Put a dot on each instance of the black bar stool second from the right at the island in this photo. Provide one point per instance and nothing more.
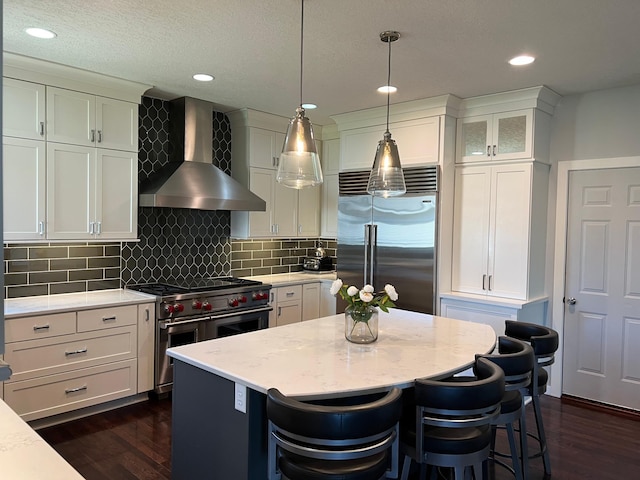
(516, 358)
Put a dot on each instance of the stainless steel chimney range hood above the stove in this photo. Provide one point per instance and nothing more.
(190, 180)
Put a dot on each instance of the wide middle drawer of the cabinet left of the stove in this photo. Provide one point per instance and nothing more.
(61, 354)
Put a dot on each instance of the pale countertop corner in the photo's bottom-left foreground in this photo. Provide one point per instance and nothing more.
(24, 455)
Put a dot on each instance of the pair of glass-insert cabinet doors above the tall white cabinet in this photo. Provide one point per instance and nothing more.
(501, 136)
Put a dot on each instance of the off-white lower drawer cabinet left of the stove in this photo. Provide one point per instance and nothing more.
(62, 362)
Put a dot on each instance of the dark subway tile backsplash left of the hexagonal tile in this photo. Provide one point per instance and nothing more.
(45, 269)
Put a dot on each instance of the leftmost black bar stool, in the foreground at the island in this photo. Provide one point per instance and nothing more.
(311, 441)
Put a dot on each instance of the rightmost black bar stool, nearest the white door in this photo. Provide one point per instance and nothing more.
(544, 342)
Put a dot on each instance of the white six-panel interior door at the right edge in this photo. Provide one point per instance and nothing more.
(602, 328)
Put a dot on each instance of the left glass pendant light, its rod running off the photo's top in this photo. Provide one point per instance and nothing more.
(299, 165)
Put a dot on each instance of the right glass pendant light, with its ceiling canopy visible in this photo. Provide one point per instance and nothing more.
(386, 178)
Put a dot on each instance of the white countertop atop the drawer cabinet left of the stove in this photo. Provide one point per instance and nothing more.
(65, 302)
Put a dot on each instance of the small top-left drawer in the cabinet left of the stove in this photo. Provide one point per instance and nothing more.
(41, 326)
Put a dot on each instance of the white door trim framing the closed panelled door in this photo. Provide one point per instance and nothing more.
(560, 246)
